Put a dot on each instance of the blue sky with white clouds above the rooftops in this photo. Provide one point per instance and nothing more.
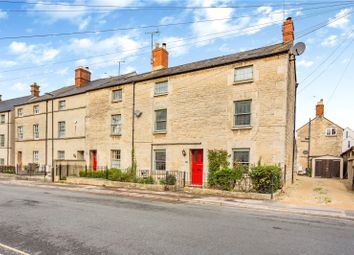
(325, 70)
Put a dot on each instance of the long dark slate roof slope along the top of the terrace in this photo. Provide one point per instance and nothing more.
(134, 77)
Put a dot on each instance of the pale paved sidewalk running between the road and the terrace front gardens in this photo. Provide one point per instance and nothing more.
(180, 197)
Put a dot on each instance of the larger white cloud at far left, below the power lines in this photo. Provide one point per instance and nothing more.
(34, 53)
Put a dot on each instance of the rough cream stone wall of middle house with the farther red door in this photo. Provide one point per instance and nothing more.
(100, 108)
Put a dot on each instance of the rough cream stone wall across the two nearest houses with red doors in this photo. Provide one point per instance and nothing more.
(200, 108)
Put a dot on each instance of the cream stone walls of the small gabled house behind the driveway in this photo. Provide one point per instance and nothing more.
(320, 143)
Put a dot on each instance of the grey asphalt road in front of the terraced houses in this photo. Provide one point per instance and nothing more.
(50, 221)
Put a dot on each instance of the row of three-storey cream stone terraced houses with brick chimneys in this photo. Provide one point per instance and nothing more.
(166, 119)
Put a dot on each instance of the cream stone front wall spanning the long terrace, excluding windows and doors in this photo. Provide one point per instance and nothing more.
(200, 115)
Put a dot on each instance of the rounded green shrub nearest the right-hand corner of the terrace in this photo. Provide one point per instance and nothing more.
(261, 178)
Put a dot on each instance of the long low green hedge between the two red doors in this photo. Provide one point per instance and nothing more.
(117, 175)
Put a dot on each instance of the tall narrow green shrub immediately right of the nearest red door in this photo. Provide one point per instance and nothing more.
(218, 159)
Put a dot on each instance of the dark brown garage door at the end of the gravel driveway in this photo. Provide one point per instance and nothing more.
(327, 168)
